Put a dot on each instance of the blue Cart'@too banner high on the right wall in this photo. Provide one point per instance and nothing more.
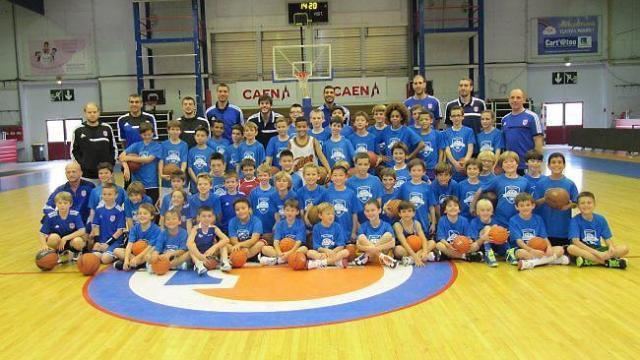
(568, 35)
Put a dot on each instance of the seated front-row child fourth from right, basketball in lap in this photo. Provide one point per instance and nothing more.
(451, 226)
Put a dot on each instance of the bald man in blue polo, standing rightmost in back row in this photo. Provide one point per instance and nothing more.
(521, 128)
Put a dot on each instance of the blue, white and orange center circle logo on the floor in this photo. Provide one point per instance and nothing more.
(265, 297)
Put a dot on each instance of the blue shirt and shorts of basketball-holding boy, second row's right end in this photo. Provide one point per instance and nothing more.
(556, 221)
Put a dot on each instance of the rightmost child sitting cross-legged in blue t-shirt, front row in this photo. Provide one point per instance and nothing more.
(587, 230)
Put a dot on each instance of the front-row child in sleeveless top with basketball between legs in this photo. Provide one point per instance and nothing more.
(408, 226)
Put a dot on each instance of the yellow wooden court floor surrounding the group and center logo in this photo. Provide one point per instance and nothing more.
(487, 313)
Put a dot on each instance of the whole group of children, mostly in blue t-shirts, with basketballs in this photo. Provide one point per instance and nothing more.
(222, 197)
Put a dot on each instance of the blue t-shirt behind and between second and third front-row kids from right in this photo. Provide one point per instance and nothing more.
(506, 190)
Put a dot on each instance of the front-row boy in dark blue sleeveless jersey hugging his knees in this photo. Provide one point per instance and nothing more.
(206, 241)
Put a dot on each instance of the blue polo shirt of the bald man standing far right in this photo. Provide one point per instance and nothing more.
(519, 131)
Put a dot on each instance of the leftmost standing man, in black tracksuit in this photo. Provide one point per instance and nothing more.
(93, 143)
